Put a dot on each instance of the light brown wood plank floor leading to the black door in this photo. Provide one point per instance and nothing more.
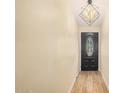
(89, 82)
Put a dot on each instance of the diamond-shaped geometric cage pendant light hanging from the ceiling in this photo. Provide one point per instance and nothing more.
(89, 14)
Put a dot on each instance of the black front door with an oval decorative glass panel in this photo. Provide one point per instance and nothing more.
(89, 51)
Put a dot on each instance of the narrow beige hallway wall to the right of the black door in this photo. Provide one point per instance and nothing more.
(105, 44)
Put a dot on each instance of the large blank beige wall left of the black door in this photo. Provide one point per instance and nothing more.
(46, 46)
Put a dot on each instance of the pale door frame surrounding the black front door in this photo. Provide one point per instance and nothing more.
(99, 49)
